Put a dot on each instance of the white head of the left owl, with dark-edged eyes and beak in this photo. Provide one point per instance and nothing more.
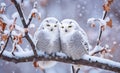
(50, 24)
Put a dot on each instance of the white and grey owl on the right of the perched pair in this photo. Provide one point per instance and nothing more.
(74, 41)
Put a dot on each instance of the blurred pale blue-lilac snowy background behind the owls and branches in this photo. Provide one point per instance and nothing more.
(79, 10)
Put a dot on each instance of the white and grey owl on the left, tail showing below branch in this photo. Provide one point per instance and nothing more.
(47, 39)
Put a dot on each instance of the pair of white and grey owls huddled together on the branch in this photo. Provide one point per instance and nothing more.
(67, 37)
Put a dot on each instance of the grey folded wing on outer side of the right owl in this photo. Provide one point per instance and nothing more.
(76, 47)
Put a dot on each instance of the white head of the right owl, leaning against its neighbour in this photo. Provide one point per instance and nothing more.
(68, 25)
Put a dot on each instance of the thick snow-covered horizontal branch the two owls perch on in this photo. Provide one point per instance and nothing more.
(87, 60)
